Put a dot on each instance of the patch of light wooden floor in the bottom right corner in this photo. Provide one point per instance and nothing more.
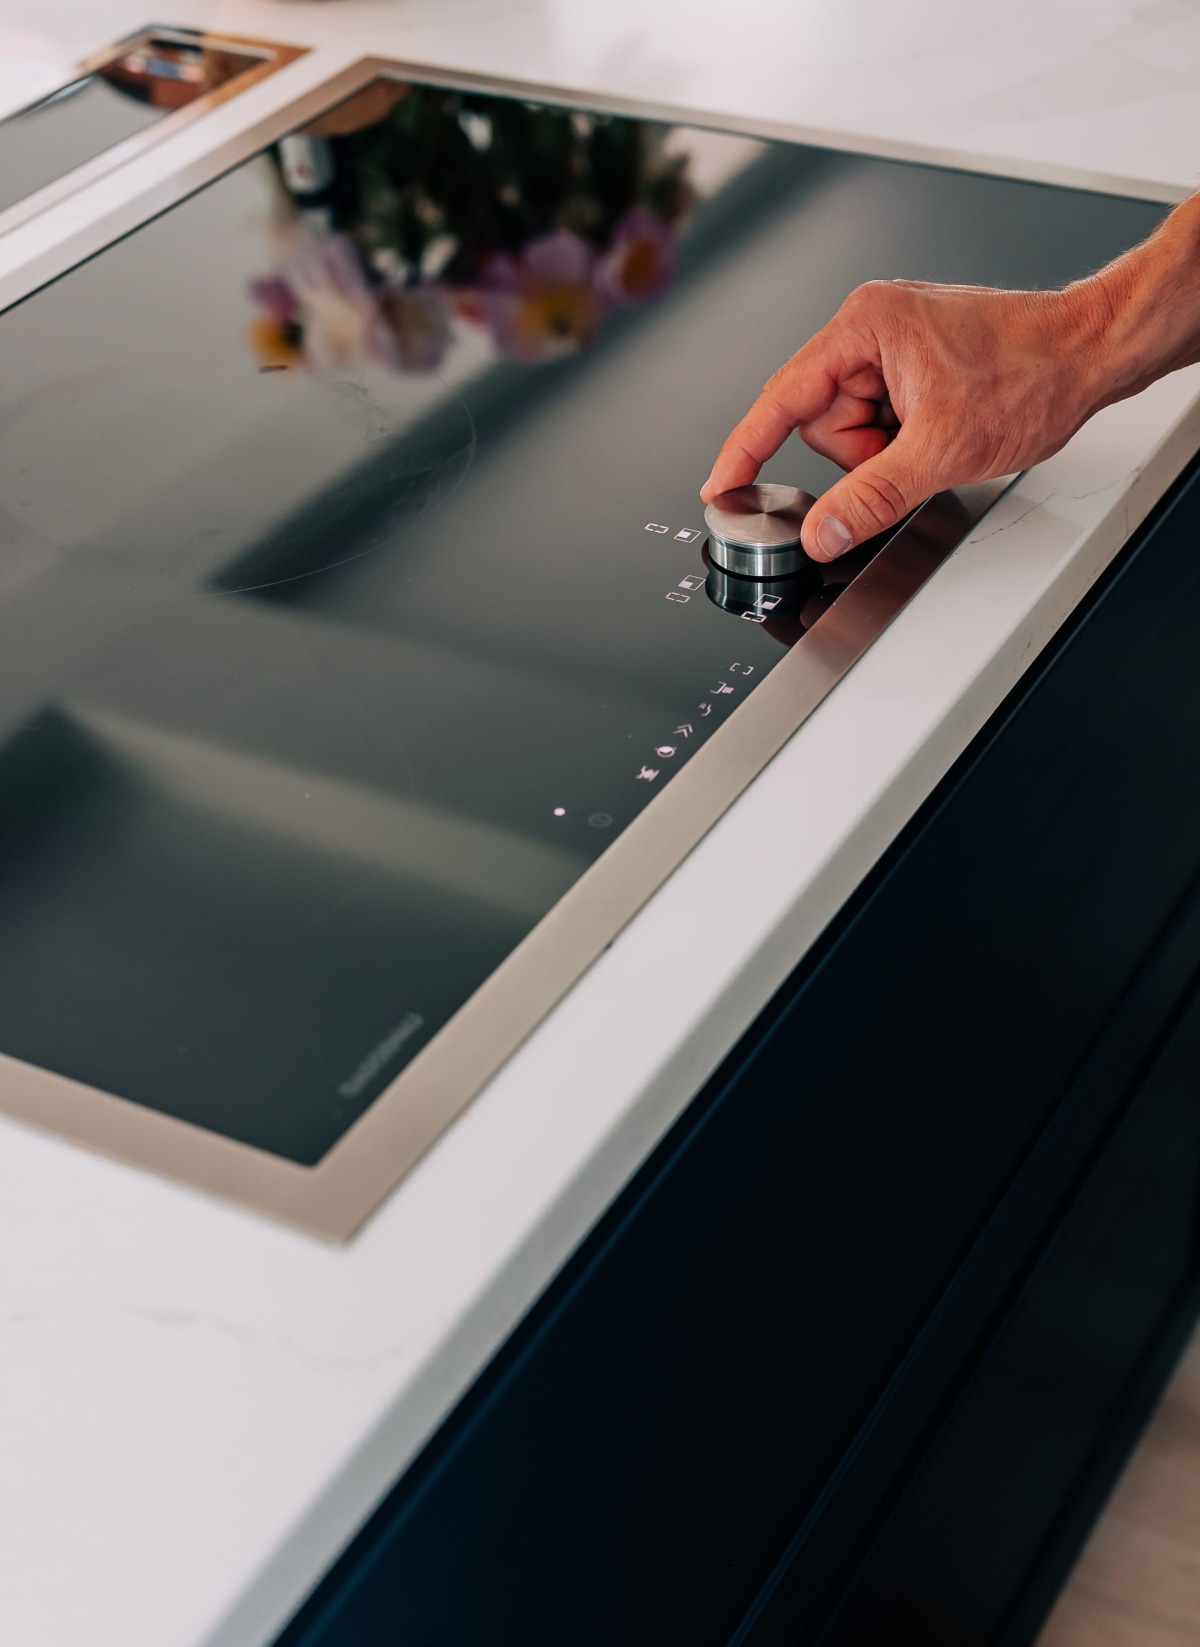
(1138, 1580)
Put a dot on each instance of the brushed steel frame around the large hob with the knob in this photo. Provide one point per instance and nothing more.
(335, 1197)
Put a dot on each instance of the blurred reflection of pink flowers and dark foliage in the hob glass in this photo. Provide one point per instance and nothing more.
(414, 208)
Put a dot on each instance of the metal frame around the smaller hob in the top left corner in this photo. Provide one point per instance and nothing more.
(272, 57)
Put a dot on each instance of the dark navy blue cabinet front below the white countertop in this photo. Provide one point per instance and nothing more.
(858, 1351)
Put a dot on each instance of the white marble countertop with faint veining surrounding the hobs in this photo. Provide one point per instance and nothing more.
(197, 1406)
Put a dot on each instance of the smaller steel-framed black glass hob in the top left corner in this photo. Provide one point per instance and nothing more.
(121, 101)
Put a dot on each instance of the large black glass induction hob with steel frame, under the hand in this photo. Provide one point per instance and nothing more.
(361, 666)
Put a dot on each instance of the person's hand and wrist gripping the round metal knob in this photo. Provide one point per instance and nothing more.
(914, 388)
